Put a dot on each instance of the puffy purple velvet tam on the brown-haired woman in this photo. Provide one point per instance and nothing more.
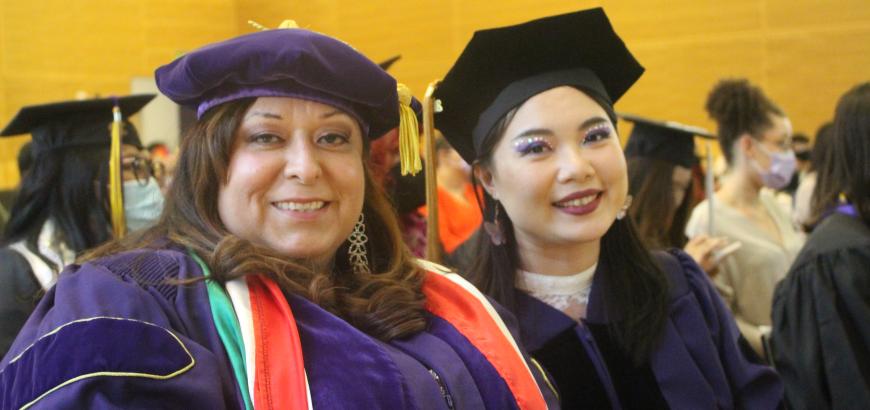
(284, 63)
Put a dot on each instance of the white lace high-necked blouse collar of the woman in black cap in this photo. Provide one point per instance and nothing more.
(569, 294)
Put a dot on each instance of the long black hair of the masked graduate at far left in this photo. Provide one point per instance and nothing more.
(69, 187)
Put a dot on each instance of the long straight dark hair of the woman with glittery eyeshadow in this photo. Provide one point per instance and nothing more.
(635, 288)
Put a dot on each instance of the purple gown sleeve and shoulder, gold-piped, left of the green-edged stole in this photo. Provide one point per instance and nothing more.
(112, 333)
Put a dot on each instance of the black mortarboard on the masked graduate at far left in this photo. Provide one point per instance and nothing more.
(75, 123)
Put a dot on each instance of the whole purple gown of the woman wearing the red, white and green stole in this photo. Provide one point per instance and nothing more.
(114, 334)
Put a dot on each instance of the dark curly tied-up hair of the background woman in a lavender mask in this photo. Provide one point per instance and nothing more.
(739, 108)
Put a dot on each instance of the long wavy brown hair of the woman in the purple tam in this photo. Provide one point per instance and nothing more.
(386, 304)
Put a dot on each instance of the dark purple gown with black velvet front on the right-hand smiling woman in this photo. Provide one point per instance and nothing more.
(698, 364)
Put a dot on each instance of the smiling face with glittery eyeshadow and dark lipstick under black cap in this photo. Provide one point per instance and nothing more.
(558, 170)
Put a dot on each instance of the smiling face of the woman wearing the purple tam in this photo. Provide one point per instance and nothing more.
(295, 179)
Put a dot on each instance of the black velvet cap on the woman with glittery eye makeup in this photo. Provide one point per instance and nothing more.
(503, 67)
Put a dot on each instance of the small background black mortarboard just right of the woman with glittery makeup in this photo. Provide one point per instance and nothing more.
(665, 140)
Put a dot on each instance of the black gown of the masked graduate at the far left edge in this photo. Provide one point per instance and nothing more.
(19, 294)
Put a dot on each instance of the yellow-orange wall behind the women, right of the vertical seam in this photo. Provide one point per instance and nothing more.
(804, 53)
